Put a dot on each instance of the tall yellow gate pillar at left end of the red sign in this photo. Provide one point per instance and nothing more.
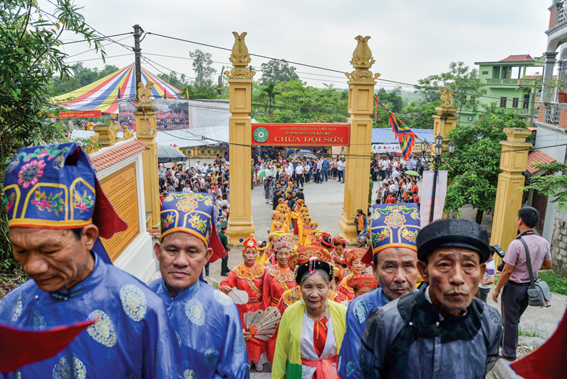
(240, 224)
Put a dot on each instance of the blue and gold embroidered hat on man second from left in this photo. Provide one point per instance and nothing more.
(192, 213)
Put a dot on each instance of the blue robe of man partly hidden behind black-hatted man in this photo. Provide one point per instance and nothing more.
(357, 314)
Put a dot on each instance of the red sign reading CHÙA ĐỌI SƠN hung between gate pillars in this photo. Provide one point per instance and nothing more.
(335, 134)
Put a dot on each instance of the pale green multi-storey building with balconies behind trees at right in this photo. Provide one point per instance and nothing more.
(506, 85)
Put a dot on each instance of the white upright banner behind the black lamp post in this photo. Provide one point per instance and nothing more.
(426, 193)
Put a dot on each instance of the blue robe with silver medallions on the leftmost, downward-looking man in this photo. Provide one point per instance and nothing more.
(133, 337)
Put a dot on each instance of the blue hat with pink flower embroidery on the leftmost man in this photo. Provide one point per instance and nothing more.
(55, 187)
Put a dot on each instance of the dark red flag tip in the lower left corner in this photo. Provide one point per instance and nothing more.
(22, 347)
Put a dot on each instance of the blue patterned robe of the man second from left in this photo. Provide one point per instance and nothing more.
(208, 330)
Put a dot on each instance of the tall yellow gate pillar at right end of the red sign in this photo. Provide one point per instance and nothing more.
(360, 106)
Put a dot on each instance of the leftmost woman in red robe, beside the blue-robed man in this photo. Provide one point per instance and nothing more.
(249, 277)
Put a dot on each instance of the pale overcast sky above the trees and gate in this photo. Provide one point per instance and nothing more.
(411, 39)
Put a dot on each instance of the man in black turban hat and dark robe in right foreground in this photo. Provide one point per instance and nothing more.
(442, 331)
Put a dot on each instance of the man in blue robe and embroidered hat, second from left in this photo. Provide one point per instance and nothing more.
(206, 320)
